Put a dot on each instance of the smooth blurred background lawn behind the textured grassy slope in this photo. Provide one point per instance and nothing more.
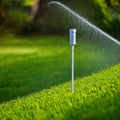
(31, 64)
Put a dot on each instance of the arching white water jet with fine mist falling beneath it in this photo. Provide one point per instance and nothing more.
(97, 50)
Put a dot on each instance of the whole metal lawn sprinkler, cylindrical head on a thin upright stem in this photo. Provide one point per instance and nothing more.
(72, 43)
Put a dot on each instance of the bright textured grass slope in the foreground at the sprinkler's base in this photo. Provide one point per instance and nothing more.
(96, 97)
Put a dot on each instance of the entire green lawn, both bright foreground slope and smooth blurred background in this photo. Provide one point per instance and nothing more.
(35, 80)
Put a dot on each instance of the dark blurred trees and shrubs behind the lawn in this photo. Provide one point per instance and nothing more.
(15, 16)
